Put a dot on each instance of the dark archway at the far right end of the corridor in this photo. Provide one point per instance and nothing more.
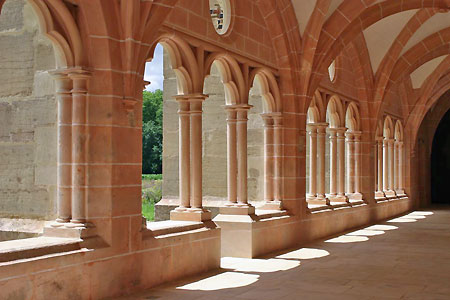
(440, 162)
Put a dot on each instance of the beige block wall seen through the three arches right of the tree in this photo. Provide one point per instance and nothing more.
(214, 141)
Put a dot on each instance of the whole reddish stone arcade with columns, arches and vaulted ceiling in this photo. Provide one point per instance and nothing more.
(285, 122)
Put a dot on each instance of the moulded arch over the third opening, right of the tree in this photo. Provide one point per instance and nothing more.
(268, 85)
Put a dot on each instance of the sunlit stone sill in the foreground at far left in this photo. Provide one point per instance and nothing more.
(36, 247)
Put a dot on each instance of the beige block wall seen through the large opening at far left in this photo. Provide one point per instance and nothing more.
(28, 115)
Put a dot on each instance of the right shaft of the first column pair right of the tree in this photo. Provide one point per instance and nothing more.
(196, 103)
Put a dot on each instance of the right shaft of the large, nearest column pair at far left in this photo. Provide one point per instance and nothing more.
(79, 139)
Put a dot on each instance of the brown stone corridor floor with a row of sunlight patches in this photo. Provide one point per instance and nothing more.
(404, 258)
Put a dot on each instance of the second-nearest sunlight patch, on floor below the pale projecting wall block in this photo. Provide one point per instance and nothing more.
(258, 265)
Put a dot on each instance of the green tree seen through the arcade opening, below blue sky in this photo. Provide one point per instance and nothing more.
(152, 113)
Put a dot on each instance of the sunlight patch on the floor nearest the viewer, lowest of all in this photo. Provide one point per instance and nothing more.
(221, 281)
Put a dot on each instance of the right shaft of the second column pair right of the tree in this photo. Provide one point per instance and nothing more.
(241, 129)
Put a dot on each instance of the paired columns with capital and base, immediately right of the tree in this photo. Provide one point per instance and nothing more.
(190, 159)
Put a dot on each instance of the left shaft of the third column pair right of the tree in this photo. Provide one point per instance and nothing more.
(268, 157)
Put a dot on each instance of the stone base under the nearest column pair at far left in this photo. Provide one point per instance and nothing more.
(69, 230)
